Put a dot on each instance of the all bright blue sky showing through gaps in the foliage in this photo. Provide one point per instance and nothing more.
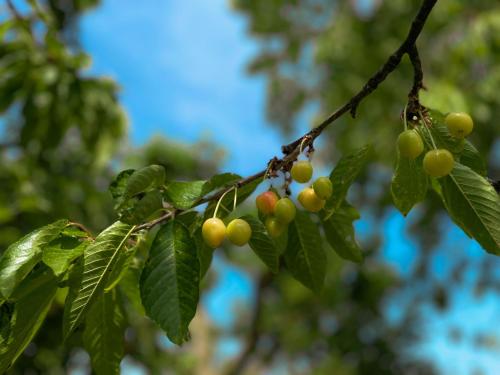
(181, 65)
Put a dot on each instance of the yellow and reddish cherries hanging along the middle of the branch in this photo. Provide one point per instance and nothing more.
(278, 212)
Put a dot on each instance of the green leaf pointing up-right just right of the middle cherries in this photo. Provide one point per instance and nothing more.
(344, 174)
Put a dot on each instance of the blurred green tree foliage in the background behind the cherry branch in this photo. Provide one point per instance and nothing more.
(64, 138)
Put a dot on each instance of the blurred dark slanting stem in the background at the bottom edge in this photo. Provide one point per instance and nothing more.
(254, 334)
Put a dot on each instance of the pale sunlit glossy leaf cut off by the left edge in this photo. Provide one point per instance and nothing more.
(20, 258)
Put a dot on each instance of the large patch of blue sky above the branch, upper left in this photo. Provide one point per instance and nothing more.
(181, 65)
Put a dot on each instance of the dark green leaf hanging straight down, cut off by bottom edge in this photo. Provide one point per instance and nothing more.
(103, 337)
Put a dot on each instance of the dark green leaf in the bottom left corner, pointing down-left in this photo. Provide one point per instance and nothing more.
(29, 313)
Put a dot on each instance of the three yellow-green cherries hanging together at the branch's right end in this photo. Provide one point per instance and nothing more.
(439, 161)
